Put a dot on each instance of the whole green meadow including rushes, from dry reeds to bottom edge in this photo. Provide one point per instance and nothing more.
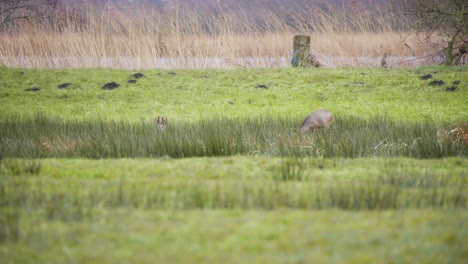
(85, 176)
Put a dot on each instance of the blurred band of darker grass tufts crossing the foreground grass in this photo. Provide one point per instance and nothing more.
(74, 199)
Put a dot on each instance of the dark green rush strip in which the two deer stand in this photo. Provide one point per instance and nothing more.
(42, 137)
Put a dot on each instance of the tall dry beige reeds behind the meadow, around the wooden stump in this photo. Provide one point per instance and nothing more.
(177, 35)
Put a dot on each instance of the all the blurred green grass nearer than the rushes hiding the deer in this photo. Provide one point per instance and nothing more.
(221, 210)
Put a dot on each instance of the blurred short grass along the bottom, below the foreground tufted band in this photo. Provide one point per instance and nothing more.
(234, 236)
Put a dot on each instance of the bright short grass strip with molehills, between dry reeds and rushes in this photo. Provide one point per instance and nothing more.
(191, 95)
